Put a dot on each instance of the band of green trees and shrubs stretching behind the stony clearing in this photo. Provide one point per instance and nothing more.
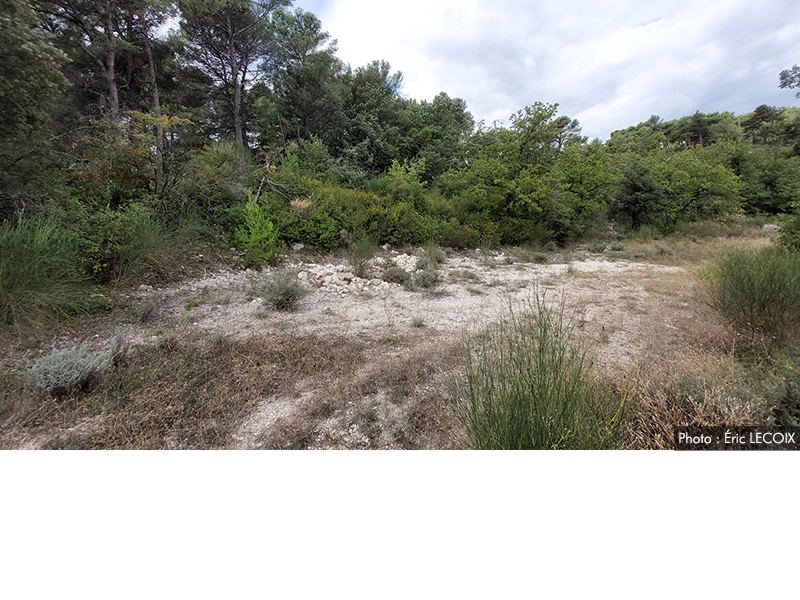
(134, 130)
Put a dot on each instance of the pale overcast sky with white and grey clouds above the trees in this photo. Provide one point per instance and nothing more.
(609, 63)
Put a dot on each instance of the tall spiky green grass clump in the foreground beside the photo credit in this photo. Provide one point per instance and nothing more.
(529, 386)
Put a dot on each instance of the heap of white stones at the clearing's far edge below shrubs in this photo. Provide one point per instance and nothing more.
(340, 280)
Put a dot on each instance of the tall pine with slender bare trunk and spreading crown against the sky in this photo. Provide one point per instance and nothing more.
(229, 40)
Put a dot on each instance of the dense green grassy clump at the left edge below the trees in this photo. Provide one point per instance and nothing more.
(39, 273)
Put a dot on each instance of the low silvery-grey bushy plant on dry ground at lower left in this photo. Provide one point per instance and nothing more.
(69, 369)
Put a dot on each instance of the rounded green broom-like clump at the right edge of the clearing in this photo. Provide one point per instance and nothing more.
(759, 293)
